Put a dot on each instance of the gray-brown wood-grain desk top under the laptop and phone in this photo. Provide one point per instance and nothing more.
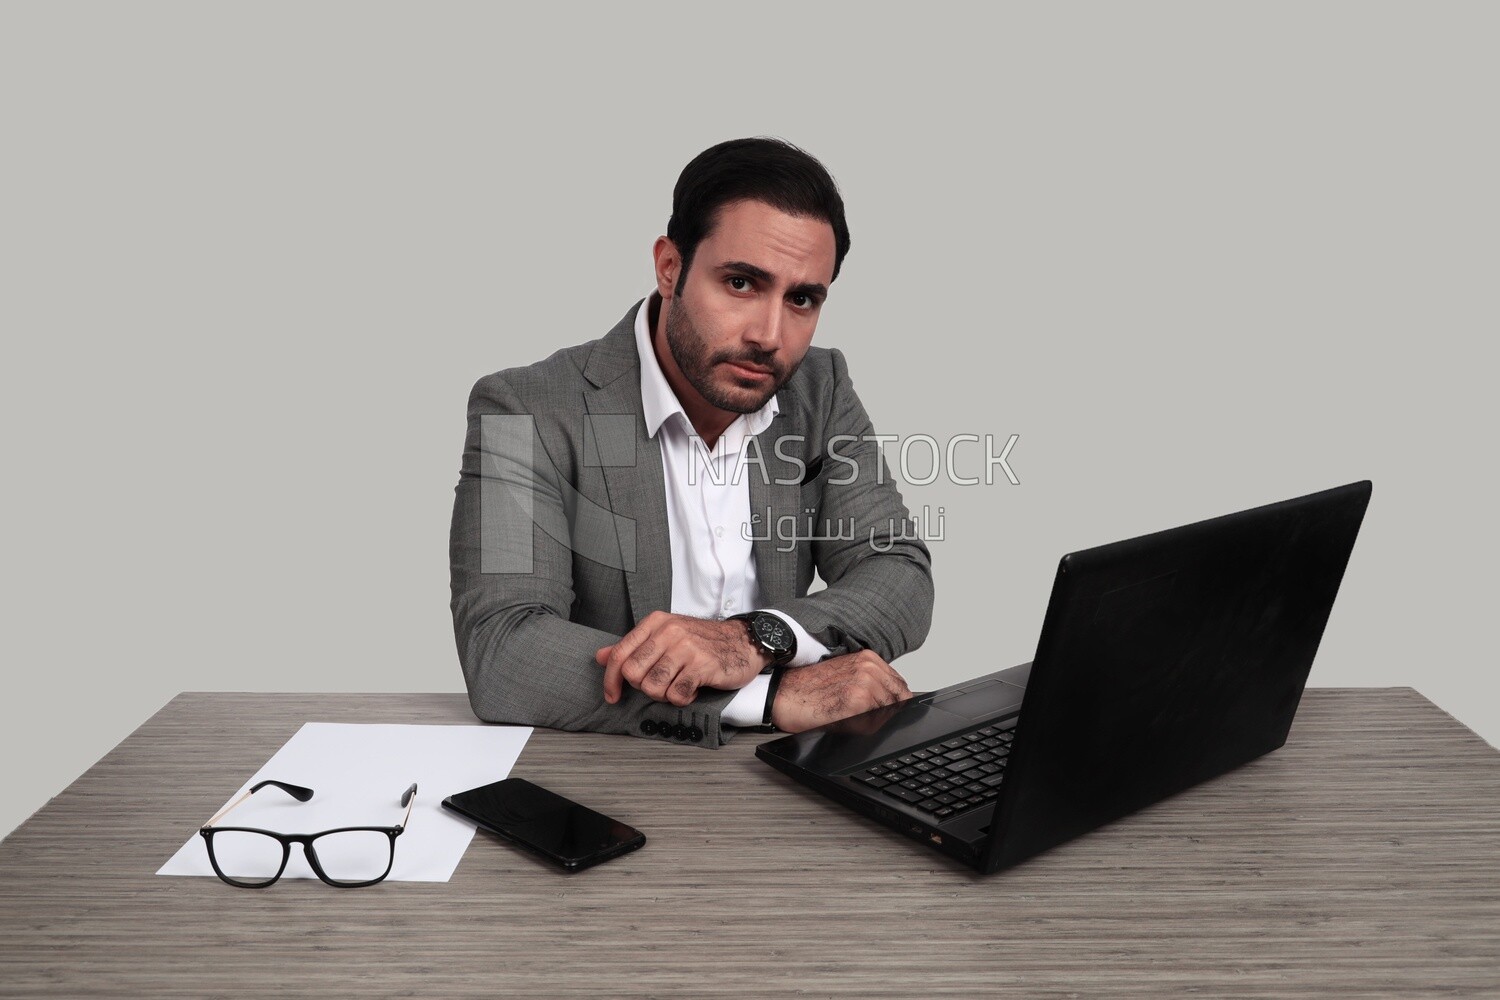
(1360, 861)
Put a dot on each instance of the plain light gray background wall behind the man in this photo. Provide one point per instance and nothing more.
(1199, 257)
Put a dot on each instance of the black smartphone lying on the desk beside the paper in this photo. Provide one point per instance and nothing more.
(565, 833)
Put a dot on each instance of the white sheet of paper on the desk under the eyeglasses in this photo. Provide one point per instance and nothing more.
(358, 774)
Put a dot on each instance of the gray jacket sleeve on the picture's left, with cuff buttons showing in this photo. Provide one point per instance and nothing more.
(511, 555)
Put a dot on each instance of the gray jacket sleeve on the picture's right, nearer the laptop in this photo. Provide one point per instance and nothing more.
(880, 591)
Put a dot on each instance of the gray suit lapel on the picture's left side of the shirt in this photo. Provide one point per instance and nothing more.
(632, 470)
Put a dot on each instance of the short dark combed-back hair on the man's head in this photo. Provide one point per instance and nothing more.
(763, 169)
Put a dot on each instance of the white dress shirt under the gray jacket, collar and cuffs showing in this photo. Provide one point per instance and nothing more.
(707, 516)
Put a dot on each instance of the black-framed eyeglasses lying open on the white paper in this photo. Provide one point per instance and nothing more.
(352, 855)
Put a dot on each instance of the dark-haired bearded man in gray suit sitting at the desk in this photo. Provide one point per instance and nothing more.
(638, 519)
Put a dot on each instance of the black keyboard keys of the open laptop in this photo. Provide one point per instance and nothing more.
(949, 777)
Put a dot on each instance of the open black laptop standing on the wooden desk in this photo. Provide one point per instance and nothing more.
(1163, 662)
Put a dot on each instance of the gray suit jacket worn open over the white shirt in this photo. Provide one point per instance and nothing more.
(560, 537)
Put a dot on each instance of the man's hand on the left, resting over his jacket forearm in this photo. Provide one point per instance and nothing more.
(668, 657)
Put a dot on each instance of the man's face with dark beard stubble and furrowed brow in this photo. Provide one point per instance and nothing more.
(748, 313)
